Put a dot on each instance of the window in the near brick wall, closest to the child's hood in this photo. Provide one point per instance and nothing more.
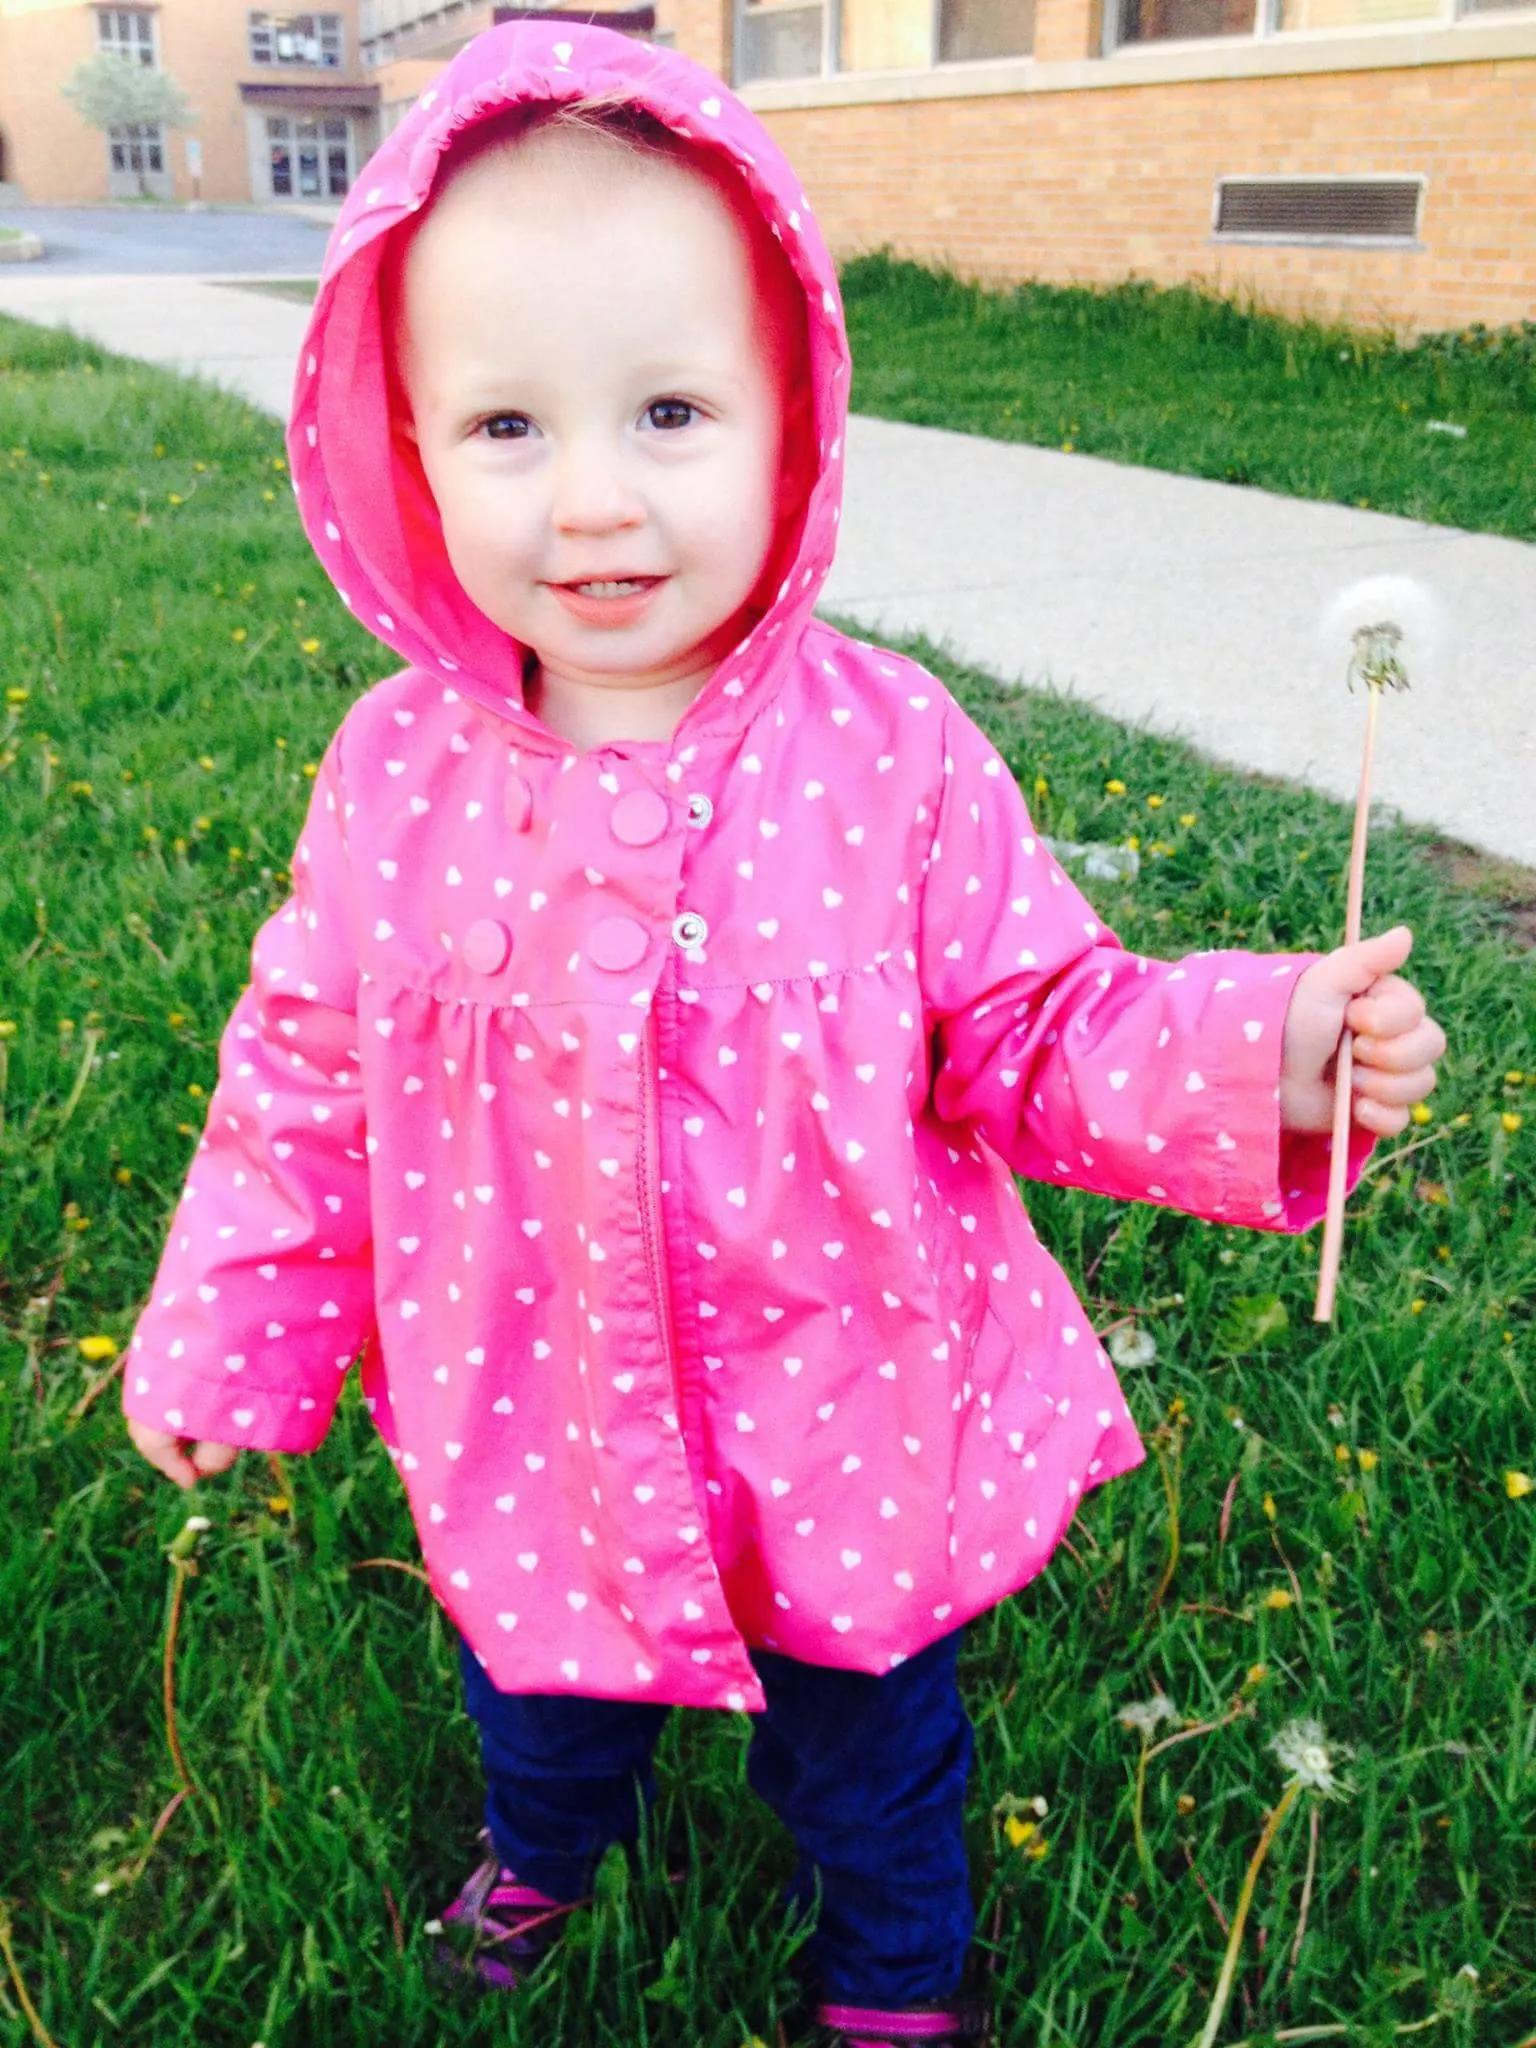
(792, 40)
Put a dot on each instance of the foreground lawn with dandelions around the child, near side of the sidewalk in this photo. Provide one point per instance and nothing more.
(151, 790)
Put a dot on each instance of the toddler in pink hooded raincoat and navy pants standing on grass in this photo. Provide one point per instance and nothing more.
(669, 996)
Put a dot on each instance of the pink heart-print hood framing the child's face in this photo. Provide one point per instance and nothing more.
(368, 509)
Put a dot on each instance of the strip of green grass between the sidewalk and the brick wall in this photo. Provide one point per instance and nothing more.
(1207, 388)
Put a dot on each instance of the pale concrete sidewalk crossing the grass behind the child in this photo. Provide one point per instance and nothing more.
(1166, 601)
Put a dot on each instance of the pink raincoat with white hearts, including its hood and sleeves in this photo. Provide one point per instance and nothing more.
(648, 1119)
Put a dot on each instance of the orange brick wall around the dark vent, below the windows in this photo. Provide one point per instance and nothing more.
(1095, 187)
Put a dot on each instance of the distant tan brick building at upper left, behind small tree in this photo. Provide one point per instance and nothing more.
(286, 110)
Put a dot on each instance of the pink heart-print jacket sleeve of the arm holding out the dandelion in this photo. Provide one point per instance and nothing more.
(1084, 1064)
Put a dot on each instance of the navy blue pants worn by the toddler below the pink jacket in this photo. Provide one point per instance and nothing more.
(865, 1773)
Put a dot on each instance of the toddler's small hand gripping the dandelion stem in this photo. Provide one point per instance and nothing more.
(1396, 1041)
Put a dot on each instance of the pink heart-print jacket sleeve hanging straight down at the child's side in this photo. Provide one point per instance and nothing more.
(265, 1287)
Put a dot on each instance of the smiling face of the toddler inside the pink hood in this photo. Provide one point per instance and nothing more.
(599, 409)
